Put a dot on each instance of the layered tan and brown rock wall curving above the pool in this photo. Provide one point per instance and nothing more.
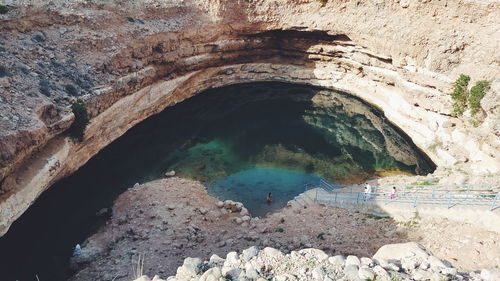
(131, 60)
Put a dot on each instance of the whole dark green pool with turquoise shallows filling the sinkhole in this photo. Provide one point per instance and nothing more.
(218, 135)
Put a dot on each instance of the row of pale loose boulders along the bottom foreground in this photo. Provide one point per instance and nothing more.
(405, 261)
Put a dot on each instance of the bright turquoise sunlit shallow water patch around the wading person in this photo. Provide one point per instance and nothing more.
(251, 187)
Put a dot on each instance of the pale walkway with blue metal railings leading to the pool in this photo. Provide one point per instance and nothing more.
(446, 195)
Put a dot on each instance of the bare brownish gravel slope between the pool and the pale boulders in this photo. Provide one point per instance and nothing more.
(170, 219)
